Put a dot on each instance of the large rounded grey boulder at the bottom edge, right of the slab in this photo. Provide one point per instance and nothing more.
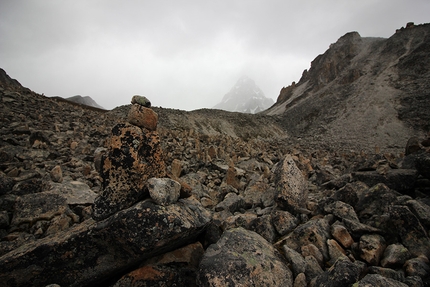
(243, 258)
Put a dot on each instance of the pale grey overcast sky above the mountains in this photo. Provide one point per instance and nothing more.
(180, 54)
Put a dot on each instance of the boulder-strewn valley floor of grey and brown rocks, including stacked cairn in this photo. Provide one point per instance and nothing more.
(97, 198)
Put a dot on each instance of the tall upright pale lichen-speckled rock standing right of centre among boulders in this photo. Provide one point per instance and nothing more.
(291, 186)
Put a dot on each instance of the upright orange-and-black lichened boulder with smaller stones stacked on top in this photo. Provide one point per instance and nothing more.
(134, 155)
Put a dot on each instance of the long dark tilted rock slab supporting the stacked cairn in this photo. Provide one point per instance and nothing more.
(92, 252)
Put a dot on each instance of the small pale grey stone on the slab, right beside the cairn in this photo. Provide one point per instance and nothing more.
(164, 191)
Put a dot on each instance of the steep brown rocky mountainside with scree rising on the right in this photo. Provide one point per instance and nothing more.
(362, 92)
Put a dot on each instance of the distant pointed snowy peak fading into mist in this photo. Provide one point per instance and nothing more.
(245, 97)
